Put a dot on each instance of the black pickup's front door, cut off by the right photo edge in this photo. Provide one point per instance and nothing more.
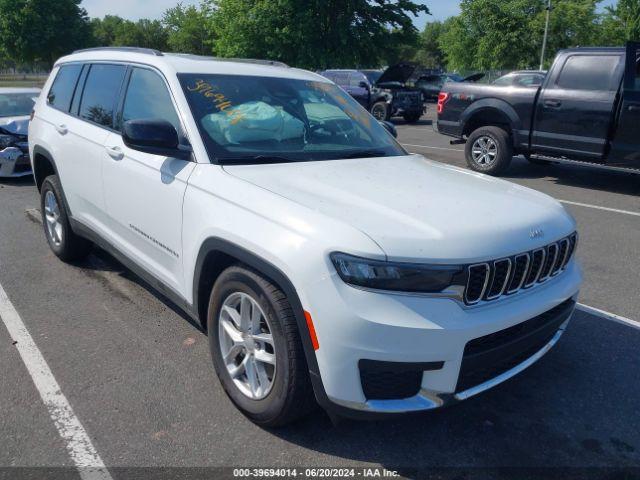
(625, 149)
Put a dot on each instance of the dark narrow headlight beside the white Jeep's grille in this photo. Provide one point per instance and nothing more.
(400, 277)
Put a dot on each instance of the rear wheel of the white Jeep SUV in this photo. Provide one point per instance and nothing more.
(62, 240)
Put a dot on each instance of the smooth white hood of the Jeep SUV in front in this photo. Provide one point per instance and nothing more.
(419, 210)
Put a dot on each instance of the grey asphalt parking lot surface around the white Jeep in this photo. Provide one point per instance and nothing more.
(137, 372)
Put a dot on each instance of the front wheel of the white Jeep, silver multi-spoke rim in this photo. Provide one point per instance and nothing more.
(288, 394)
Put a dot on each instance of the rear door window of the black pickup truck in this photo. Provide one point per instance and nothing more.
(584, 72)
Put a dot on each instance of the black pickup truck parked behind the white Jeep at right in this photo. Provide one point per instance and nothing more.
(587, 111)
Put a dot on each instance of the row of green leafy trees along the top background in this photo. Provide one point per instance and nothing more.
(317, 34)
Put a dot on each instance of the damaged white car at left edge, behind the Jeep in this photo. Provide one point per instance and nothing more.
(16, 105)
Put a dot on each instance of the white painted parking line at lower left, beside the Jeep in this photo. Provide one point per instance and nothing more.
(82, 452)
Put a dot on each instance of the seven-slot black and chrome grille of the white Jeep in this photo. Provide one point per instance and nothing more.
(492, 280)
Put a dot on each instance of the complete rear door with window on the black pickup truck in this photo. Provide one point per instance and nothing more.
(576, 108)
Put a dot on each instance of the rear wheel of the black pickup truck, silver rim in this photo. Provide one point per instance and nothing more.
(489, 150)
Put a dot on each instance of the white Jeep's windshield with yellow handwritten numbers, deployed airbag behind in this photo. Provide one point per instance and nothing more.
(266, 119)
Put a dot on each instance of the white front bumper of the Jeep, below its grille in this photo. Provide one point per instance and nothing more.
(419, 330)
